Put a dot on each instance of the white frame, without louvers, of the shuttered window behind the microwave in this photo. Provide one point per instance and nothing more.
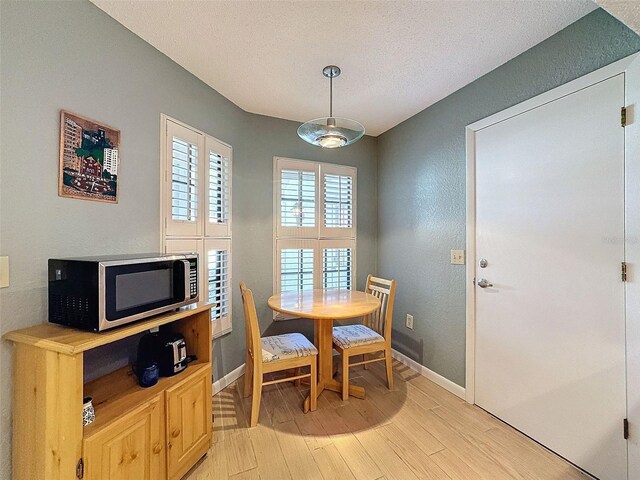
(175, 236)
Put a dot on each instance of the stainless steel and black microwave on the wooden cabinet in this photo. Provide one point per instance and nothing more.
(98, 293)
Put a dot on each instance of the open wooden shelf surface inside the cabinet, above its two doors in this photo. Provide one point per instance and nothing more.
(118, 393)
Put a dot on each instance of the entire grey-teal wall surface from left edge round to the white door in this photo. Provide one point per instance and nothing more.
(71, 55)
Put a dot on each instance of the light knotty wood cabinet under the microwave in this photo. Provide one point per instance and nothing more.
(139, 433)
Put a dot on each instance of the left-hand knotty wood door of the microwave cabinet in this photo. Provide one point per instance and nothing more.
(132, 447)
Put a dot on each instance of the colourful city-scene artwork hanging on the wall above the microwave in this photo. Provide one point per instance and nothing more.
(89, 159)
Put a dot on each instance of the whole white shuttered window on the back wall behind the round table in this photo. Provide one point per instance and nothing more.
(314, 226)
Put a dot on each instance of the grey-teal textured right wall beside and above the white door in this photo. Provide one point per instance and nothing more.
(421, 184)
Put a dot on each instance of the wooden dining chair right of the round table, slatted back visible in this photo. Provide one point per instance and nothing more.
(371, 337)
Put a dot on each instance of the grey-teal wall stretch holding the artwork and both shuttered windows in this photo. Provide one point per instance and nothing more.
(73, 56)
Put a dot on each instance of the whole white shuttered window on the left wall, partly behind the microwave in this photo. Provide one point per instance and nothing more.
(196, 211)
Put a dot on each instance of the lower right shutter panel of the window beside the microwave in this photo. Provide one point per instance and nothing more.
(217, 267)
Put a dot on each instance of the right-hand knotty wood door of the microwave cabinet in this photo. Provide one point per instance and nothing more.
(188, 422)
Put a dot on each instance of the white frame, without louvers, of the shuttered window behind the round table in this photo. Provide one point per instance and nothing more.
(318, 237)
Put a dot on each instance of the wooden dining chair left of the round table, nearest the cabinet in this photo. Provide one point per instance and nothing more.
(273, 354)
